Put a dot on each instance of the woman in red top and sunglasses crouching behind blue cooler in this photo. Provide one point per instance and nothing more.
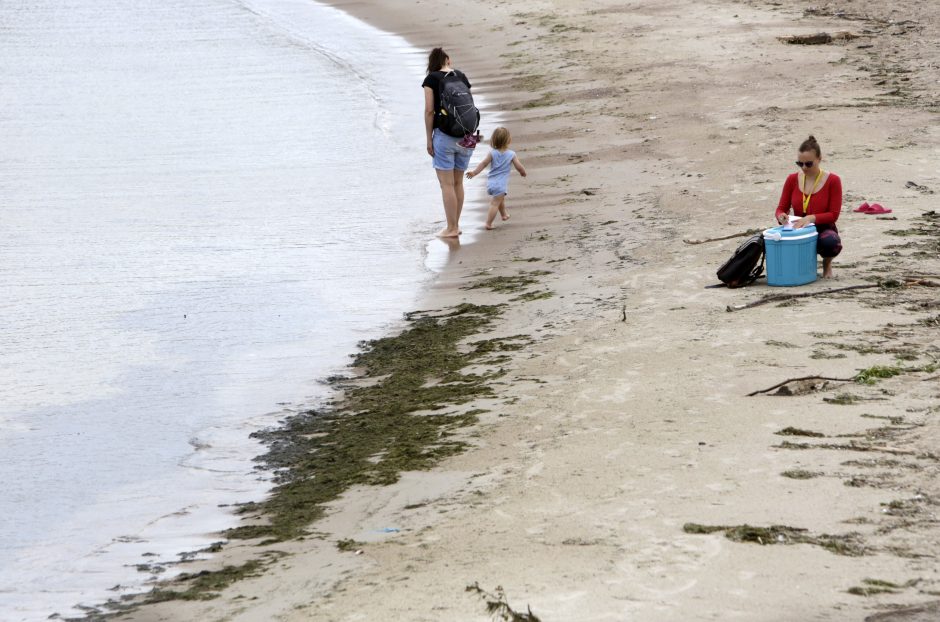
(815, 196)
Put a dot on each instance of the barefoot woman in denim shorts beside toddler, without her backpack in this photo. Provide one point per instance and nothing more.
(450, 159)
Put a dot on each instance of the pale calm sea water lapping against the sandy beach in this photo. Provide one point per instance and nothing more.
(204, 205)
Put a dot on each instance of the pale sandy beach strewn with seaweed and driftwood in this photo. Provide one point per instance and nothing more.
(607, 459)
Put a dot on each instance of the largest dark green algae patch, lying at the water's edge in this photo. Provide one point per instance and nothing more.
(387, 421)
